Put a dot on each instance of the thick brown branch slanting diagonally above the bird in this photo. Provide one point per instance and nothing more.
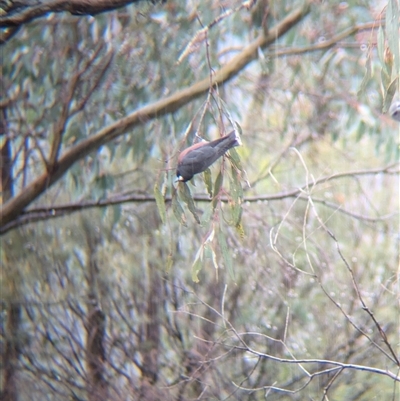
(170, 104)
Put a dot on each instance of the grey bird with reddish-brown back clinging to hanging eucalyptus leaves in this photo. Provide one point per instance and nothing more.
(198, 157)
